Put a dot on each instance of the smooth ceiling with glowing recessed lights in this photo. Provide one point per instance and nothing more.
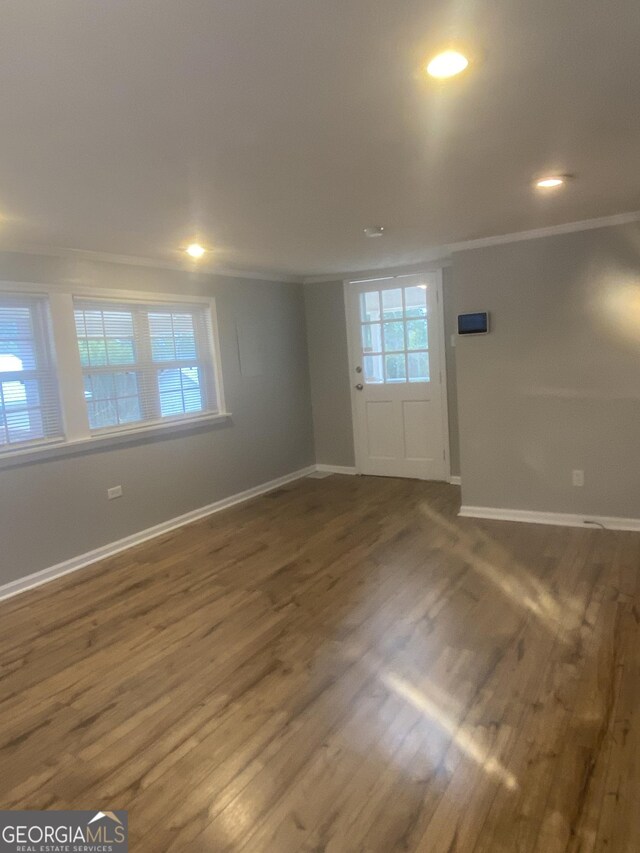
(276, 130)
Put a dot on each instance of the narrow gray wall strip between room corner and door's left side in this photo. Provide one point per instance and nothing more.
(329, 370)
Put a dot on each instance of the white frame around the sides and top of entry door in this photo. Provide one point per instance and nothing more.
(354, 352)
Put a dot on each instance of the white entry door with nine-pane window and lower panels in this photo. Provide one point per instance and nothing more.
(397, 370)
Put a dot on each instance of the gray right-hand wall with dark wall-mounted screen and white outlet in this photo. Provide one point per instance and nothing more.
(555, 386)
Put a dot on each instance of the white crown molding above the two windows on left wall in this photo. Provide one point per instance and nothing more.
(150, 263)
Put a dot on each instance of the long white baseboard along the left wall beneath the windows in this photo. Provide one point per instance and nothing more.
(45, 575)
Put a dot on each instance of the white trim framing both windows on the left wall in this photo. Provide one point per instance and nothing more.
(78, 437)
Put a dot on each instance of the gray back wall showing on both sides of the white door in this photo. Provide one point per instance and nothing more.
(328, 365)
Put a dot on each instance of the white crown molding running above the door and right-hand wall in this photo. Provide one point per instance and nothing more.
(440, 256)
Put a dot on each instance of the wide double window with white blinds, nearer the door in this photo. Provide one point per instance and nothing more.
(144, 363)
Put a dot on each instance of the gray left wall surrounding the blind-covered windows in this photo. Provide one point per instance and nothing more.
(53, 510)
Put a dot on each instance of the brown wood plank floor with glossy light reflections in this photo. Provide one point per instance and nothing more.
(342, 665)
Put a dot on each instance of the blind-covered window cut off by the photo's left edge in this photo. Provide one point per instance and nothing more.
(29, 403)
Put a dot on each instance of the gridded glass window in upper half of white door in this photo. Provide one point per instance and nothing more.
(394, 336)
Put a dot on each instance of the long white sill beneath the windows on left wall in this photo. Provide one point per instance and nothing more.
(53, 450)
